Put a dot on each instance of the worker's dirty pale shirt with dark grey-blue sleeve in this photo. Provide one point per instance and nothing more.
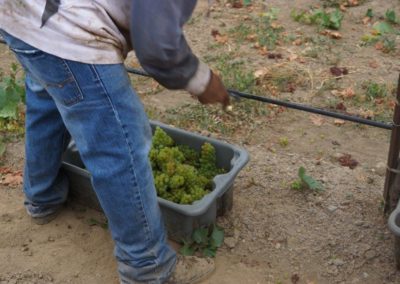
(102, 32)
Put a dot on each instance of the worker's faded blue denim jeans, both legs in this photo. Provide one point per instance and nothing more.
(97, 106)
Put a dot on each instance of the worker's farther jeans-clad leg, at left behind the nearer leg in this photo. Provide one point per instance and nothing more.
(45, 187)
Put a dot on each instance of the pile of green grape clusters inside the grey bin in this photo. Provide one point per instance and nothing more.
(181, 174)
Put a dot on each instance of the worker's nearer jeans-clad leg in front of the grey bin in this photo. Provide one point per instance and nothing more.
(108, 123)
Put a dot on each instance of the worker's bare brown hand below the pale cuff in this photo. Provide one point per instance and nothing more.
(215, 92)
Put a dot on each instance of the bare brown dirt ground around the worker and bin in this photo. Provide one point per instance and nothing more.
(273, 234)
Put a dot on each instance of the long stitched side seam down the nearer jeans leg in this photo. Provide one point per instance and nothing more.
(131, 153)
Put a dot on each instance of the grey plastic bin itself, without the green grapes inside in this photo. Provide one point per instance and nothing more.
(180, 220)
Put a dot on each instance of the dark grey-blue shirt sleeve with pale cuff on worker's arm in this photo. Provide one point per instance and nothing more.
(161, 47)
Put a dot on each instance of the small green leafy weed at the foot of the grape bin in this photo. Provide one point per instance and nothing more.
(204, 240)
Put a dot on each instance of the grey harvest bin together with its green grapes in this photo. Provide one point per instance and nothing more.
(194, 178)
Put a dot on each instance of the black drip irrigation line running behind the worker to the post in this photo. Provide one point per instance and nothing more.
(237, 95)
